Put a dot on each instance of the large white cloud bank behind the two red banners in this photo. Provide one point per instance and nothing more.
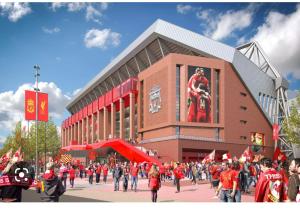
(12, 103)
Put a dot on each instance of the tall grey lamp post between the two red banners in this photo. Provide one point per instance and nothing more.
(37, 68)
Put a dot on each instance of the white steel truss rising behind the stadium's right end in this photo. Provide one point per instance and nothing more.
(255, 53)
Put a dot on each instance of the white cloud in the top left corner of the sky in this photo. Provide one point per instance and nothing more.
(14, 11)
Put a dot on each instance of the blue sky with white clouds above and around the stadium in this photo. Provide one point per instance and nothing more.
(73, 42)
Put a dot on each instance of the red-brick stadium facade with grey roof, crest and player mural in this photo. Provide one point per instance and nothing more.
(181, 95)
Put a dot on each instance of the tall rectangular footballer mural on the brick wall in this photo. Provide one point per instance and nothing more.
(199, 95)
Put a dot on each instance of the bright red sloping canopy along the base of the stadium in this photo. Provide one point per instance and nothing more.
(125, 149)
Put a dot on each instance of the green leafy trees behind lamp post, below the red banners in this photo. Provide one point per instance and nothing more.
(27, 141)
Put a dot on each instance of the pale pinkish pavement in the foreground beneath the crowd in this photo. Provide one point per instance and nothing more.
(84, 192)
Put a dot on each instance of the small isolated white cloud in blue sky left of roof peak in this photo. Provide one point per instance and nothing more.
(101, 38)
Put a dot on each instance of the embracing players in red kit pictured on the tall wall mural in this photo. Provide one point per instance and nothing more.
(195, 92)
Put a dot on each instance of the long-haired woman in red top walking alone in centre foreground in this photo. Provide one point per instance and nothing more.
(154, 182)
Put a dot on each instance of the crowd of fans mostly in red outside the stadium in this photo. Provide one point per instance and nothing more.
(269, 181)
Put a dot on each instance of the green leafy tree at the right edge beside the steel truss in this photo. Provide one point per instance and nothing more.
(291, 125)
